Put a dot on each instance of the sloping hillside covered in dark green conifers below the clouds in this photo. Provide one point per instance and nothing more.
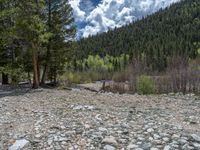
(169, 32)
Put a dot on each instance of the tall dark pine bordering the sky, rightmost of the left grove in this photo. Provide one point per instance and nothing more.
(60, 24)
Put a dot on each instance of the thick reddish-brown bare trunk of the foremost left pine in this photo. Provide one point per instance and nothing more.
(35, 66)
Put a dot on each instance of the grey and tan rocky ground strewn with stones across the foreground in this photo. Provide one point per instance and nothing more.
(50, 119)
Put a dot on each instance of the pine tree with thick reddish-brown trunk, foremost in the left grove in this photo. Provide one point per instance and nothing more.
(30, 28)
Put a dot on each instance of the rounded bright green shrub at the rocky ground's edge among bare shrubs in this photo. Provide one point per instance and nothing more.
(145, 85)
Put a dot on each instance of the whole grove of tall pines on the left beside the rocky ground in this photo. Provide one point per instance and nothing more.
(36, 38)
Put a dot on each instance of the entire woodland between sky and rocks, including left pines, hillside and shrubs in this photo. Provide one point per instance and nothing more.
(38, 44)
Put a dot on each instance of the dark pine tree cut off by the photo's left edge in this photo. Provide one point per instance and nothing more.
(6, 40)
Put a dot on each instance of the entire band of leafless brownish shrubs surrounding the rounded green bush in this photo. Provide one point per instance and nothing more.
(181, 75)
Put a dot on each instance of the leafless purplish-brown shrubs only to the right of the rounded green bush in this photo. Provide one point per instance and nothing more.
(180, 76)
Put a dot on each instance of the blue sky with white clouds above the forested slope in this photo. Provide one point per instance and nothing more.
(94, 16)
